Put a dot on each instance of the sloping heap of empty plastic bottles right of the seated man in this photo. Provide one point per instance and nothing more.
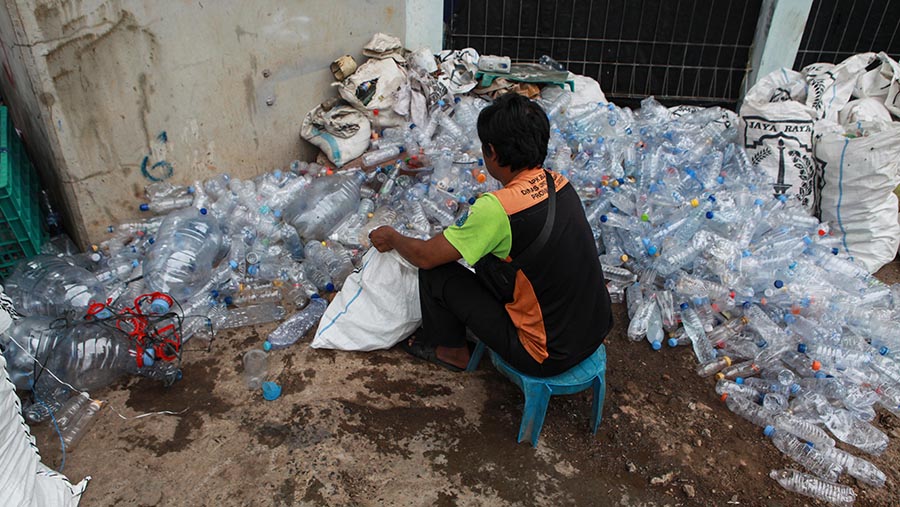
(803, 341)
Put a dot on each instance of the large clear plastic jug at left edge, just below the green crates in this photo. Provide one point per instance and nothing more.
(45, 285)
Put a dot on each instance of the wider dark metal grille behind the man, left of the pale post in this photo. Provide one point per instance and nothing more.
(680, 51)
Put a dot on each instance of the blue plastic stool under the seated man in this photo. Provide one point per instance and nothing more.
(589, 373)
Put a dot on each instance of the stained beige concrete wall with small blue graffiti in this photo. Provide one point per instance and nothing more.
(114, 94)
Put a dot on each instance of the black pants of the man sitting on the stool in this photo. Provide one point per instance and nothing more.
(452, 299)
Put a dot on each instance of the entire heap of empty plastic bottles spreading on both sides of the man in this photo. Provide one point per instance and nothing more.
(691, 235)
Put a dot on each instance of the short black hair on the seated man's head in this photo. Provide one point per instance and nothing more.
(518, 130)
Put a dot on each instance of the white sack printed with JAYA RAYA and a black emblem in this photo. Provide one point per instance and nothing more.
(778, 136)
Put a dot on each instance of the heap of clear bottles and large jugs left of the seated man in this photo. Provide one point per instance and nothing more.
(228, 253)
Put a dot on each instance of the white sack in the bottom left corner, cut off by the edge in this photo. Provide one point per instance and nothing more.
(24, 480)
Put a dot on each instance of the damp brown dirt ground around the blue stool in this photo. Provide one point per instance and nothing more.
(381, 428)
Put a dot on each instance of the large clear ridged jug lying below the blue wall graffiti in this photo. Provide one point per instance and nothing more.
(181, 260)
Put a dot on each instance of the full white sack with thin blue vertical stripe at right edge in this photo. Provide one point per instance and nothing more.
(860, 175)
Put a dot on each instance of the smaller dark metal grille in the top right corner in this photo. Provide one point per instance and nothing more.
(837, 29)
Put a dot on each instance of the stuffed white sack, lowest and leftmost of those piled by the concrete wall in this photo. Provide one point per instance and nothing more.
(340, 131)
